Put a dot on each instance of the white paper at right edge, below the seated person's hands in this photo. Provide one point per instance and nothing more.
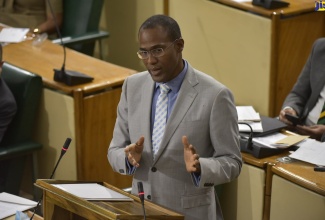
(310, 151)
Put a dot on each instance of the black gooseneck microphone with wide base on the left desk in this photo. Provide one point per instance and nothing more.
(68, 77)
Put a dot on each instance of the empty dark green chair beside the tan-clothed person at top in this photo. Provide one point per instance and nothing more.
(80, 27)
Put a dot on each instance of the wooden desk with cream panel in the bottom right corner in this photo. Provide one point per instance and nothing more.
(298, 192)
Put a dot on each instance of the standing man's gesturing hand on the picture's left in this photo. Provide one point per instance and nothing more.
(134, 152)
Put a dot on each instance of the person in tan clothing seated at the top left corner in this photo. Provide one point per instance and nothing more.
(33, 14)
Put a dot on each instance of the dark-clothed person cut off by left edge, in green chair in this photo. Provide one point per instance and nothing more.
(8, 110)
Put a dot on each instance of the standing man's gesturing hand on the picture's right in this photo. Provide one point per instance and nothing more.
(191, 158)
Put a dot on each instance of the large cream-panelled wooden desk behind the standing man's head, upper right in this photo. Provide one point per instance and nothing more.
(264, 50)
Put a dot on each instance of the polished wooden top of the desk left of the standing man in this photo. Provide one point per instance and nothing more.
(44, 58)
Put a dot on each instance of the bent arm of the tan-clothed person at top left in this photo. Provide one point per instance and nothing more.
(48, 25)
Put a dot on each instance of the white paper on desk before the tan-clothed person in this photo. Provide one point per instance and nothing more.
(13, 35)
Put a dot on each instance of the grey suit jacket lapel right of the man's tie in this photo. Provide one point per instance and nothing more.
(185, 98)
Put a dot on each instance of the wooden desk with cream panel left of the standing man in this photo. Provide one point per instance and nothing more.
(85, 112)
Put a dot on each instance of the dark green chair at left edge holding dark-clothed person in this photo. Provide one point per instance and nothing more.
(17, 143)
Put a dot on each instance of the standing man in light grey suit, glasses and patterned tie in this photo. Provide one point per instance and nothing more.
(199, 148)
